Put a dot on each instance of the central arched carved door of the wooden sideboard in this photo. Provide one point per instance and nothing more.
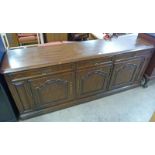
(93, 80)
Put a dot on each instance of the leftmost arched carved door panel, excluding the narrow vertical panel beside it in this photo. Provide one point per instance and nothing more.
(52, 90)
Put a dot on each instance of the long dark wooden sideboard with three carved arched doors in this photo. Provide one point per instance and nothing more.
(43, 79)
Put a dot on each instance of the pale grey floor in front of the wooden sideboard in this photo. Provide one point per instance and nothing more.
(135, 105)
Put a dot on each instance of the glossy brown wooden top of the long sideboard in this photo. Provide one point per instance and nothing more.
(36, 57)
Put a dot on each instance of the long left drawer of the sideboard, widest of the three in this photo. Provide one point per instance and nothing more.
(41, 71)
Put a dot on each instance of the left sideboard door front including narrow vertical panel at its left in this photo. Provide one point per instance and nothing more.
(45, 91)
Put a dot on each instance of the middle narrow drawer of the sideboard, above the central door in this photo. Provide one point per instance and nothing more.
(93, 62)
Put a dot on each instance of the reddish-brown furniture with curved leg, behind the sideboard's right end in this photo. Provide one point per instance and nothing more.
(150, 71)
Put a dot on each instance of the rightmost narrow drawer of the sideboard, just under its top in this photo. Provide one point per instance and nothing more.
(129, 55)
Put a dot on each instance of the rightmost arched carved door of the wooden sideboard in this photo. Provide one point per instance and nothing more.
(126, 72)
